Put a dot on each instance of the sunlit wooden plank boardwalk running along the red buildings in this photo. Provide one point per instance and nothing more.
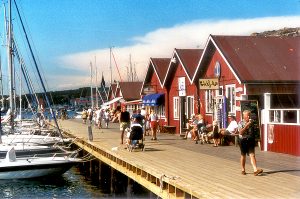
(190, 170)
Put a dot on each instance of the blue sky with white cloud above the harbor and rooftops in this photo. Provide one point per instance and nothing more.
(69, 34)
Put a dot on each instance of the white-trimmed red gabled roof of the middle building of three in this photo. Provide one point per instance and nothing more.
(189, 59)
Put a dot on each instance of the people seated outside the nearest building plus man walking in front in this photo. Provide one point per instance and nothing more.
(244, 130)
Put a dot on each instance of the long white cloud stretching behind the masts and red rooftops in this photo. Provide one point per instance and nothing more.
(161, 43)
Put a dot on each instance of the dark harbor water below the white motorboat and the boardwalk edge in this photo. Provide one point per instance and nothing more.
(72, 184)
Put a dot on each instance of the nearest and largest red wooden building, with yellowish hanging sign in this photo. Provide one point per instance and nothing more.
(262, 69)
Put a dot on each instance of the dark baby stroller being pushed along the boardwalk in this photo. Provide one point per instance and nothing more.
(135, 137)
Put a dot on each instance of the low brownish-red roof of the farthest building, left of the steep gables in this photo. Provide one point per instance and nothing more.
(130, 90)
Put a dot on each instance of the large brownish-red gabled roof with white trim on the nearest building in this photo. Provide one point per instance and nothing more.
(257, 59)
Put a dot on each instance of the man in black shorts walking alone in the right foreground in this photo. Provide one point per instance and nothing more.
(247, 142)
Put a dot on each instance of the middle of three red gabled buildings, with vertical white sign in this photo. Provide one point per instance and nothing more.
(182, 93)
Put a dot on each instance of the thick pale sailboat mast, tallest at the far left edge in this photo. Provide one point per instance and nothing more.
(10, 68)
